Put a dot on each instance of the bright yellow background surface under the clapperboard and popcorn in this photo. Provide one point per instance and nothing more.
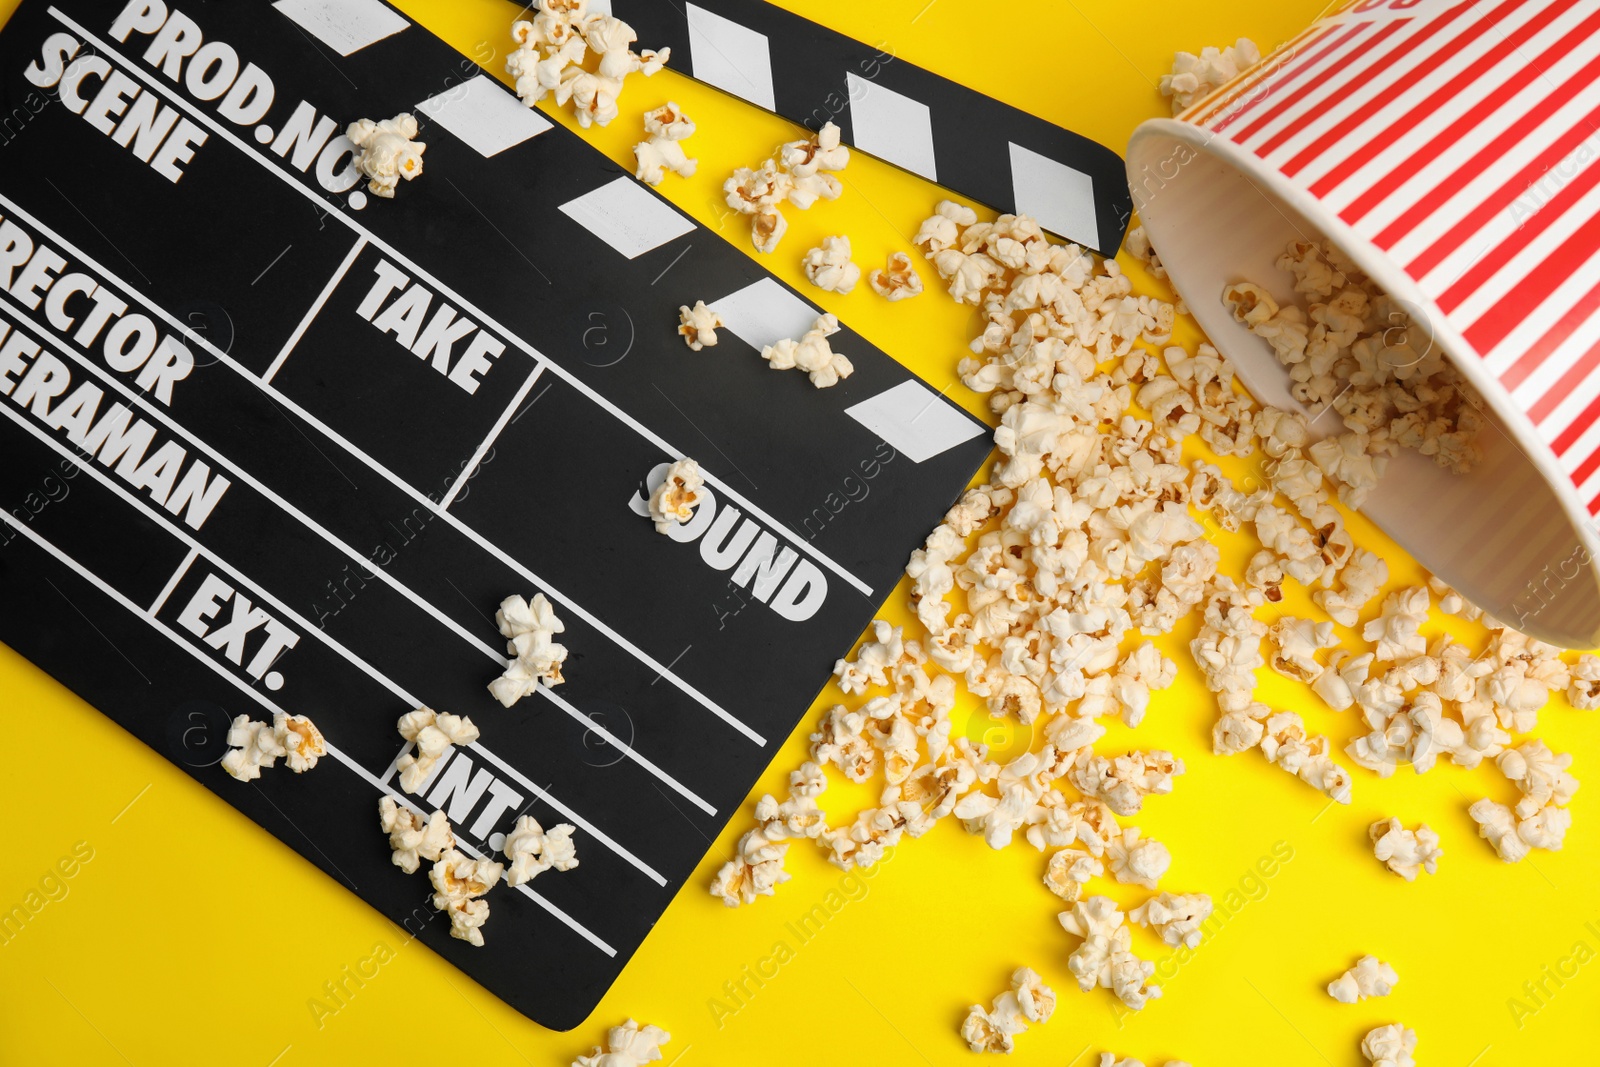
(193, 937)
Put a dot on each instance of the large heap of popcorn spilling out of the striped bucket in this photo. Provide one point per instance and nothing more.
(1041, 594)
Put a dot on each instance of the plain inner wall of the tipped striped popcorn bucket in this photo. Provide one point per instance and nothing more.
(1498, 533)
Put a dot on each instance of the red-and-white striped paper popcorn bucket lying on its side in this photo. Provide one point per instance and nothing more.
(1447, 148)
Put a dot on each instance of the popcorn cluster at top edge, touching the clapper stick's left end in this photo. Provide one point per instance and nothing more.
(553, 52)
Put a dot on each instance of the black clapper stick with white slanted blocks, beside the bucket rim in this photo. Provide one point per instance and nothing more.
(892, 110)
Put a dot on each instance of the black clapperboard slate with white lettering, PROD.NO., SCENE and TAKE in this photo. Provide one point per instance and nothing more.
(420, 407)
